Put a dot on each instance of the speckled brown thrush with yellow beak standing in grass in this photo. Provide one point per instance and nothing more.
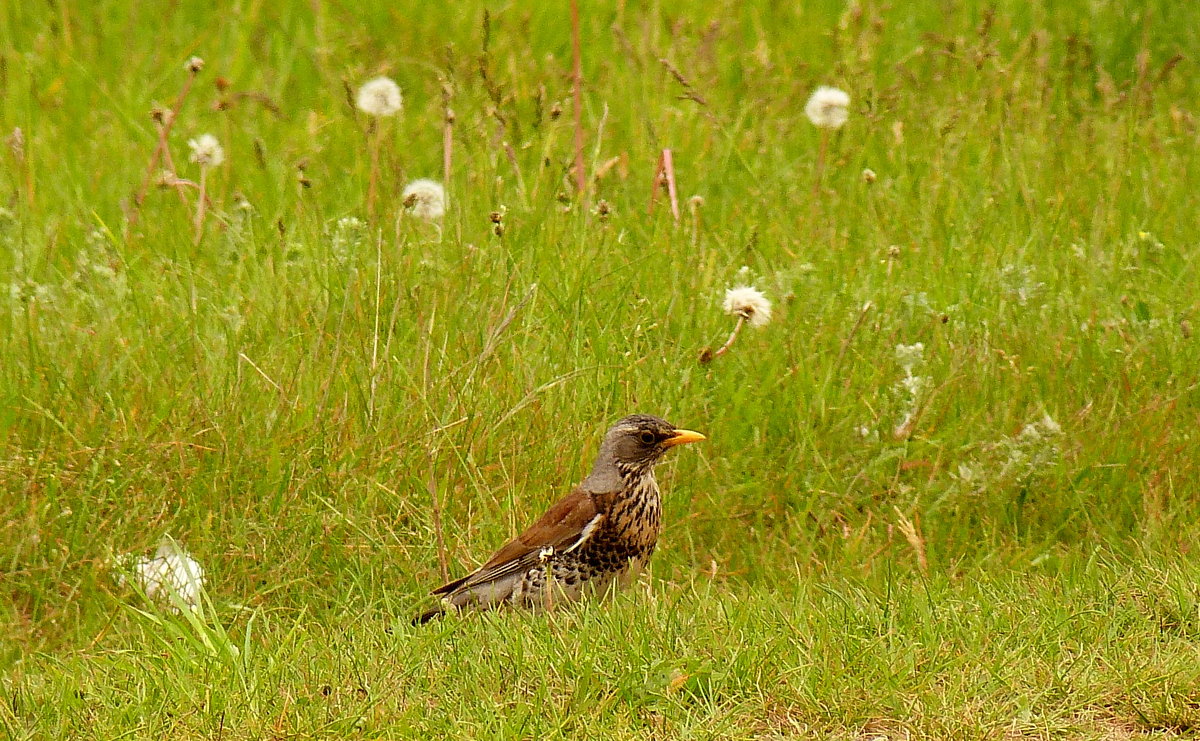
(601, 534)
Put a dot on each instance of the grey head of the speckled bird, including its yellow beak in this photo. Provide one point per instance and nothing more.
(633, 447)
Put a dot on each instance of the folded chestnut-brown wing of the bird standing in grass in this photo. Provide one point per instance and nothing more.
(563, 527)
